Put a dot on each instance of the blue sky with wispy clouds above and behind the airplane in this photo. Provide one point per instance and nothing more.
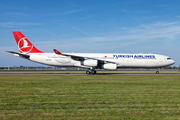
(91, 26)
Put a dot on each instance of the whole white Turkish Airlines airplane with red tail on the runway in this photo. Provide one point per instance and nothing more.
(91, 61)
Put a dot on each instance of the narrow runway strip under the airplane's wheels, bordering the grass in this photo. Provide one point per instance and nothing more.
(8, 73)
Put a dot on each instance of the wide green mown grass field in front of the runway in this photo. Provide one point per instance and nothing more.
(90, 97)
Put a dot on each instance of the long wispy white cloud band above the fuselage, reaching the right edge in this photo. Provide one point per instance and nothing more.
(159, 31)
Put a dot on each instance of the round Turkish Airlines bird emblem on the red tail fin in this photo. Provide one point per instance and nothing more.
(24, 45)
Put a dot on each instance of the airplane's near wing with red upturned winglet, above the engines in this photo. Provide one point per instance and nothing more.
(80, 58)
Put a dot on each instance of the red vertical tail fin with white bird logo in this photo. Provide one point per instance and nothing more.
(24, 45)
